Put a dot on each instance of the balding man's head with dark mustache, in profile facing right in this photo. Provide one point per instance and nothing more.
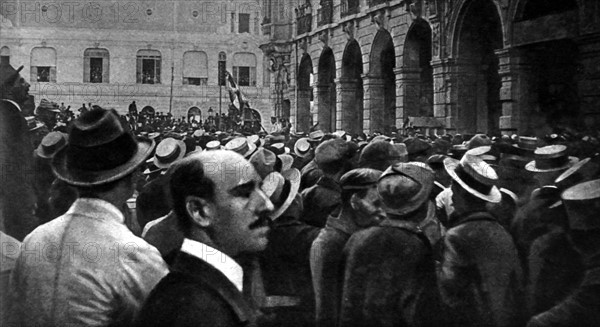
(218, 194)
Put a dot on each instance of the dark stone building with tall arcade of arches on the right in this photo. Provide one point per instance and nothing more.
(458, 66)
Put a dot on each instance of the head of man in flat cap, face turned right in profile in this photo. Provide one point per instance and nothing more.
(359, 192)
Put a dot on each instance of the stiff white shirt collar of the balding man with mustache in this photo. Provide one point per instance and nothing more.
(219, 260)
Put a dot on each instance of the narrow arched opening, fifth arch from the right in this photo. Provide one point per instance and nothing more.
(353, 92)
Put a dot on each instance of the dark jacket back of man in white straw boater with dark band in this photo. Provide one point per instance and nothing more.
(480, 278)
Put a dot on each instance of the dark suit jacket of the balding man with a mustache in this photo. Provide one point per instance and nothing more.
(195, 293)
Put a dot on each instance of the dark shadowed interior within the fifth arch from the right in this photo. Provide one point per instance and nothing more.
(352, 68)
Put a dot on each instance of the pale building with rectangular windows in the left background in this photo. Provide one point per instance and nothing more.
(162, 54)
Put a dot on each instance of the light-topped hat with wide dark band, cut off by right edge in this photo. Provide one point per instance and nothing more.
(582, 203)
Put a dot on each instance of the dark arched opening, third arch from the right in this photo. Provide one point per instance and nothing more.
(417, 73)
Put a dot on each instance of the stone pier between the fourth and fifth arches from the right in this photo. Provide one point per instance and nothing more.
(374, 113)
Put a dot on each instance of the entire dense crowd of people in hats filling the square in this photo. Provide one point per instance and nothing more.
(105, 223)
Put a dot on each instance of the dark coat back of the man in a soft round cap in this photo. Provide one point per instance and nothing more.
(389, 278)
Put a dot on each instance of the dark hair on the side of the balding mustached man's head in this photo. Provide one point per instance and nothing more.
(188, 178)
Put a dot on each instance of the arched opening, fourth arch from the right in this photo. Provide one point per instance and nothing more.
(382, 64)
